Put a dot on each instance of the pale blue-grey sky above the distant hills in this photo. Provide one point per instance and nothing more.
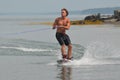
(41, 6)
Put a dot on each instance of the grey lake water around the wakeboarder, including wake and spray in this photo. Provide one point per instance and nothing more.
(29, 52)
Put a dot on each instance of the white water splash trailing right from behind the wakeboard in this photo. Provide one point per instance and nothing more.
(98, 53)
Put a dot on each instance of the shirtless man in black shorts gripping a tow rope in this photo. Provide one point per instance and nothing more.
(62, 24)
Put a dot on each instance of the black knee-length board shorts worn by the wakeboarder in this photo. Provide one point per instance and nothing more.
(63, 38)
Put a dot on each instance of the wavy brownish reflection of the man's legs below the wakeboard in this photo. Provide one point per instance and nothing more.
(65, 73)
